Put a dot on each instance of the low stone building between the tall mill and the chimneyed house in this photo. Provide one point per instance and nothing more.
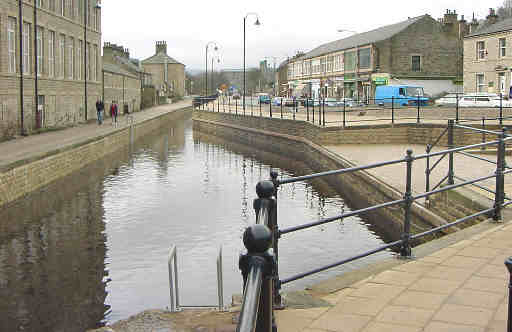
(124, 79)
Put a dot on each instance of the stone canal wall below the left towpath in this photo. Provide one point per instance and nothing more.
(26, 176)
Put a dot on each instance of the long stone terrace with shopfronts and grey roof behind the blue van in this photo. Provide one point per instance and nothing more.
(418, 51)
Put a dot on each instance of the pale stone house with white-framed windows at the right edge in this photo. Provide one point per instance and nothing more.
(488, 58)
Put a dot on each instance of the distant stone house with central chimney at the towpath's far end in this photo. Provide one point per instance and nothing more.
(168, 74)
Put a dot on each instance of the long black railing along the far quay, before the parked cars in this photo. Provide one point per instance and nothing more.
(348, 112)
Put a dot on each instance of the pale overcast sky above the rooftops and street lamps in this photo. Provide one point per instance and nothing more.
(286, 26)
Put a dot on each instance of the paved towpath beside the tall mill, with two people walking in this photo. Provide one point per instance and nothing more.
(36, 145)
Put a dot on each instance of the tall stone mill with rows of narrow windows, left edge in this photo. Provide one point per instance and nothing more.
(50, 64)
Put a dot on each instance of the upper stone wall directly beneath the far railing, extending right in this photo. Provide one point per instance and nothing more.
(407, 133)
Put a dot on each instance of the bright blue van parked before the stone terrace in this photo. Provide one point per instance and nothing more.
(403, 95)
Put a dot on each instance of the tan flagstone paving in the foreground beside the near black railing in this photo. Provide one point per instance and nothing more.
(460, 288)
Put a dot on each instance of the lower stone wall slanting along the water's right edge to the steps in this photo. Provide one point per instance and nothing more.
(360, 189)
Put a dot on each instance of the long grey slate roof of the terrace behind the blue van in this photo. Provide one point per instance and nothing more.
(364, 38)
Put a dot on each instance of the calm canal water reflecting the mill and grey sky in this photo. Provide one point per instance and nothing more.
(92, 248)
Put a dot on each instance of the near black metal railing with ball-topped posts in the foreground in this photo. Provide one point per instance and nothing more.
(266, 210)
